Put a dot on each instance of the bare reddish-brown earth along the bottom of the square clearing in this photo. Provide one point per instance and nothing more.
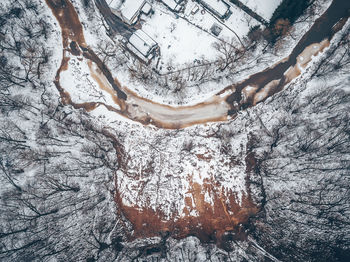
(209, 224)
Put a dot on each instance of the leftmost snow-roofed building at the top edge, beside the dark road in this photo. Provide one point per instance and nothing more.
(129, 10)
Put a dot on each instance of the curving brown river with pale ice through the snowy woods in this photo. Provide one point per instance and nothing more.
(238, 96)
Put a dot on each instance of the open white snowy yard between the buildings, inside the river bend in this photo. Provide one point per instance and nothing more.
(187, 37)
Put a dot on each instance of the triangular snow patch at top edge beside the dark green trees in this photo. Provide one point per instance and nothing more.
(264, 8)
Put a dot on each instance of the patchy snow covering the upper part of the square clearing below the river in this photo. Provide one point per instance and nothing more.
(164, 150)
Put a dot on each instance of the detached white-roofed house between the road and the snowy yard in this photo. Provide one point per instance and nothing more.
(142, 45)
